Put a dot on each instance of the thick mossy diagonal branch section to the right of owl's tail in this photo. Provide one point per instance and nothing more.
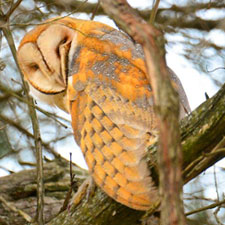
(201, 132)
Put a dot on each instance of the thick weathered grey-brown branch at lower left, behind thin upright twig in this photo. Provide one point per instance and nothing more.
(19, 192)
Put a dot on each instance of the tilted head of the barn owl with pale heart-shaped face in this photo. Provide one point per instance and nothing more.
(43, 56)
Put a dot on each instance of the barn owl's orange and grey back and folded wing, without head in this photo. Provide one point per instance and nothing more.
(112, 114)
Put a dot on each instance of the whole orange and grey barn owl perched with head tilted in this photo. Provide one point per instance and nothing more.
(98, 75)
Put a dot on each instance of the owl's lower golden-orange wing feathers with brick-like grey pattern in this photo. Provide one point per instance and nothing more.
(113, 134)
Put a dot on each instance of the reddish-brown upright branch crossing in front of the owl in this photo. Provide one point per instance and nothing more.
(166, 105)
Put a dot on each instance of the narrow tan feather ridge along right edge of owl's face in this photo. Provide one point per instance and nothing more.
(64, 50)
